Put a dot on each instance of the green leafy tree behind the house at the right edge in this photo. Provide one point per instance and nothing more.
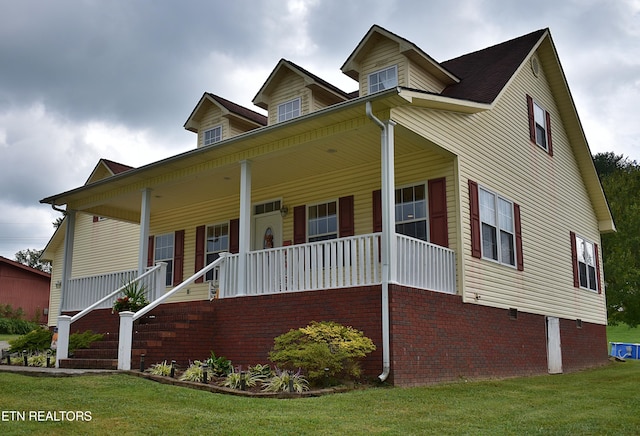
(620, 179)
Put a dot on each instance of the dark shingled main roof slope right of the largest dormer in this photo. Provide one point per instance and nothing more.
(484, 74)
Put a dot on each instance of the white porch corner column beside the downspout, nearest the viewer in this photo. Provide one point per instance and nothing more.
(388, 202)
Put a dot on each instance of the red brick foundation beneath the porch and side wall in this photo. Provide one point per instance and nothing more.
(435, 337)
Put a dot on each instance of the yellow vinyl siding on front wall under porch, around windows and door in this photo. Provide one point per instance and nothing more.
(359, 181)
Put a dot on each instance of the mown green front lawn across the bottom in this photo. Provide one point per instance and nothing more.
(600, 401)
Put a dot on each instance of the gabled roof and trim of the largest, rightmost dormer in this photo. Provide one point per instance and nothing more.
(407, 48)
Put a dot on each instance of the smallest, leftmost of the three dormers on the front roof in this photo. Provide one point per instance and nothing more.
(215, 119)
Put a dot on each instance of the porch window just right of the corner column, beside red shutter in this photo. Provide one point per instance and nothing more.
(411, 212)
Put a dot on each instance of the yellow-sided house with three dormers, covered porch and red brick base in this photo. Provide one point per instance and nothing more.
(449, 210)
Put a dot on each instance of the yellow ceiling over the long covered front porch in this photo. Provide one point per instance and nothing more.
(311, 147)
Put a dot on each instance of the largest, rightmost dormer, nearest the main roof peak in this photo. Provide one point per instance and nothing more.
(383, 60)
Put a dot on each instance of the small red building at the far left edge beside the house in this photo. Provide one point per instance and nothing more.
(26, 288)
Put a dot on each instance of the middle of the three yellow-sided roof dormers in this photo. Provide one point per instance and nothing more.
(291, 91)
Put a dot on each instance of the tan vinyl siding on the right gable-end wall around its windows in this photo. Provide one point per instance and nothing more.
(495, 151)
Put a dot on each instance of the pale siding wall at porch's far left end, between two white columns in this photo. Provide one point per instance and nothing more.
(104, 246)
